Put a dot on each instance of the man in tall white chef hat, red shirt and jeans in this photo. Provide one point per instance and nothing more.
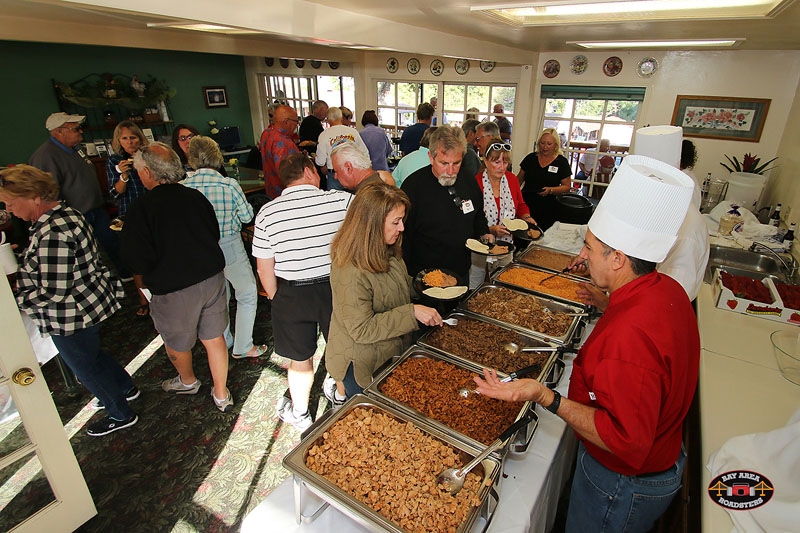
(634, 378)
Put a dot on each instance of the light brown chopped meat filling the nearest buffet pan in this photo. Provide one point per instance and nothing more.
(391, 466)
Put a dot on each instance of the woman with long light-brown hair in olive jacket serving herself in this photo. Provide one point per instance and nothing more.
(373, 316)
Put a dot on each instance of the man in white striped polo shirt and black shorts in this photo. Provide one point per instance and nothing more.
(293, 234)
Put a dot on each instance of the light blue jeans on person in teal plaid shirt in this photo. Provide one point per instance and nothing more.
(239, 273)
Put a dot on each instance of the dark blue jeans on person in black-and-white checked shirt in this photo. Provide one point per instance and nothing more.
(98, 371)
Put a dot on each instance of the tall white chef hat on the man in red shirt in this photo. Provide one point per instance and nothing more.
(643, 208)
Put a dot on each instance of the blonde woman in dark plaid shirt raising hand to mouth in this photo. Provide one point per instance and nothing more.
(124, 184)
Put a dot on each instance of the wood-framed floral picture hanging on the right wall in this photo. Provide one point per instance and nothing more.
(721, 117)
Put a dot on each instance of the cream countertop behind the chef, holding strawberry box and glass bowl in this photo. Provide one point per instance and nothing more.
(741, 389)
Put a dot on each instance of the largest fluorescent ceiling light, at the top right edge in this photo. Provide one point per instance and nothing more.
(565, 11)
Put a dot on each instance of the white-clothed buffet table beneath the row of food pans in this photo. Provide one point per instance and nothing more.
(528, 495)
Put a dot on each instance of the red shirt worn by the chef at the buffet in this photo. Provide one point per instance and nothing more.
(639, 369)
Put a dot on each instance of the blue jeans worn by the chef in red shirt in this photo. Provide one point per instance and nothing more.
(604, 501)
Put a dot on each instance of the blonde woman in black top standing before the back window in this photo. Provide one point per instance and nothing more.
(545, 174)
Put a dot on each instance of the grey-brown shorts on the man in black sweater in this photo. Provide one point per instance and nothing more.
(198, 311)
